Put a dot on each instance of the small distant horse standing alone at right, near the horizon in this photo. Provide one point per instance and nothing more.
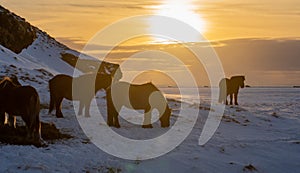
(230, 87)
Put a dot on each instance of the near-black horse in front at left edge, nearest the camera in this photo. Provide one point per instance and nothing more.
(21, 101)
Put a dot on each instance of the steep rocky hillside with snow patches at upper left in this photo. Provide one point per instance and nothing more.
(27, 47)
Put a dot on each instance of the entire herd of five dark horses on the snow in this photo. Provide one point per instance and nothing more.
(18, 100)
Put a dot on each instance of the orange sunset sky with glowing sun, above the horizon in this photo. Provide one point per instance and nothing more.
(257, 38)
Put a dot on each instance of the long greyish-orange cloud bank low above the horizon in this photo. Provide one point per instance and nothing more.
(264, 61)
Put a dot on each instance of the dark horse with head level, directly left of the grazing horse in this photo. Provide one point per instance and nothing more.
(78, 88)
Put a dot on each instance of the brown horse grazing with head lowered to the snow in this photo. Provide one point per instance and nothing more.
(139, 97)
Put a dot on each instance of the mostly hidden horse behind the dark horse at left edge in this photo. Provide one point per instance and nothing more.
(9, 82)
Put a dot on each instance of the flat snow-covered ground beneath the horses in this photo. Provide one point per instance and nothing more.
(262, 134)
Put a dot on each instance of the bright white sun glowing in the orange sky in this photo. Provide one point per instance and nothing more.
(184, 11)
